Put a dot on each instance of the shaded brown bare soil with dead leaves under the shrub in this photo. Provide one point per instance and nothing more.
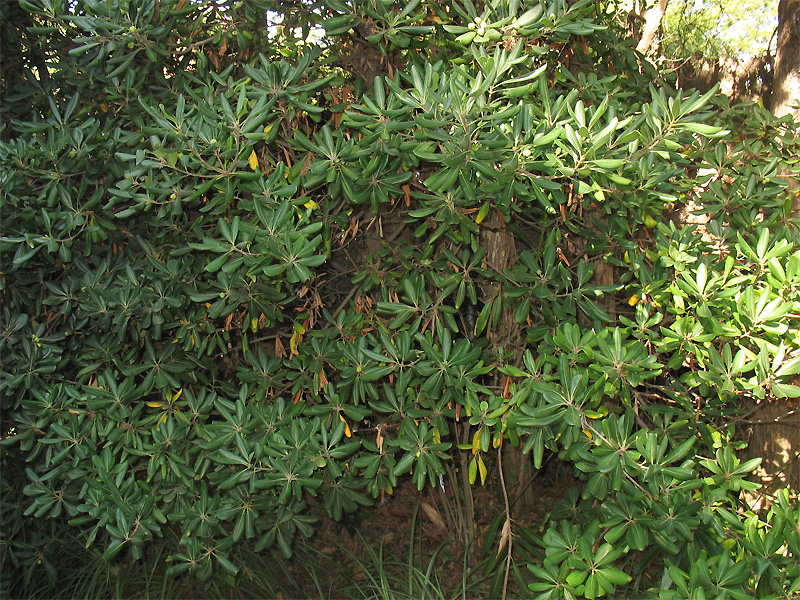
(401, 519)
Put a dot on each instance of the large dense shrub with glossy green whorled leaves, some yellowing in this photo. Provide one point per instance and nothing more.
(197, 335)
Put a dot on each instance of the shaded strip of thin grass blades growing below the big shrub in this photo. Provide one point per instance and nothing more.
(418, 572)
